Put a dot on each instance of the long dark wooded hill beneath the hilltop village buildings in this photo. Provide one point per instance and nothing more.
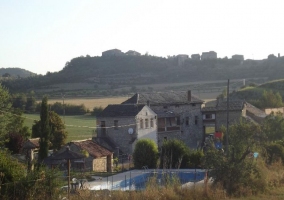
(123, 74)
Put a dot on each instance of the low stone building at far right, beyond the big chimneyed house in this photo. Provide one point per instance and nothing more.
(216, 116)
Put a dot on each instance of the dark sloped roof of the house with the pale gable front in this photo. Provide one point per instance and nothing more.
(121, 110)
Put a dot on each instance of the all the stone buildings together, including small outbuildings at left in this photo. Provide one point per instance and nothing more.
(157, 116)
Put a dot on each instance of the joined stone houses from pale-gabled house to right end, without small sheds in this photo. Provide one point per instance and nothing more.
(167, 115)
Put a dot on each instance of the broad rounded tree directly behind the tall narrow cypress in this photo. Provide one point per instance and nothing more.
(58, 134)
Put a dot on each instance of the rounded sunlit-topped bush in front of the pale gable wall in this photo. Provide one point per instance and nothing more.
(145, 154)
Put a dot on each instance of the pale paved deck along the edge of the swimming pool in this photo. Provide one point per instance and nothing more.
(106, 182)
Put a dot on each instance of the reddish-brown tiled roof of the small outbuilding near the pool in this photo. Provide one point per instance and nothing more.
(94, 149)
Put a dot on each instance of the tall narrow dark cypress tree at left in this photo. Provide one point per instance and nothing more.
(44, 130)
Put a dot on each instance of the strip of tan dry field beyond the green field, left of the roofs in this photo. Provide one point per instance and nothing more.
(90, 103)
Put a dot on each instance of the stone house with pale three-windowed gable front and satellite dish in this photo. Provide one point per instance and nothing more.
(120, 126)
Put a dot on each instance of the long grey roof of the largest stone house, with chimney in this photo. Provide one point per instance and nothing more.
(156, 98)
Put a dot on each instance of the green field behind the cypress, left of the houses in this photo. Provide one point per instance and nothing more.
(78, 126)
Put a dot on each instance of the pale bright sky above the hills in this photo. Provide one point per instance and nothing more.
(41, 36)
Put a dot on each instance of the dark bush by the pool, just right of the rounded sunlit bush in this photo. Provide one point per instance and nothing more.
(172, 154)
